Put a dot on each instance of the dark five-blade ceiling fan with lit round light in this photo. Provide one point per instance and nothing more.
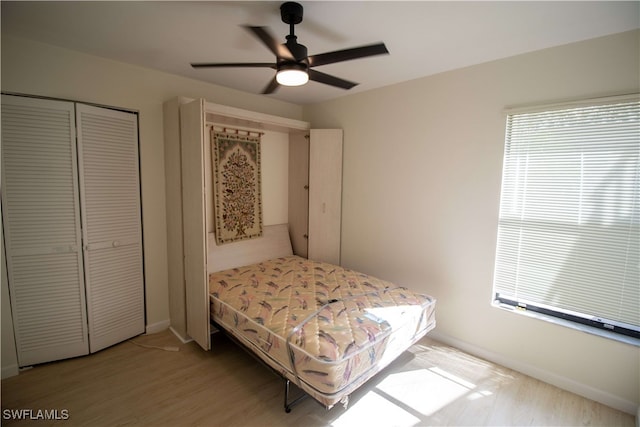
(294, 67)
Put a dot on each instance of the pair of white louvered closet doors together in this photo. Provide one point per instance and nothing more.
(65, 304)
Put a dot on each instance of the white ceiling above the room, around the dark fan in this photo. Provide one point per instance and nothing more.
(423, 37)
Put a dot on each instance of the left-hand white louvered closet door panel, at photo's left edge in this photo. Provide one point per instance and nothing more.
(41, 215)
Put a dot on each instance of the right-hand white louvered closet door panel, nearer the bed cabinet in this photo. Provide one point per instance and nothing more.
(110, 197)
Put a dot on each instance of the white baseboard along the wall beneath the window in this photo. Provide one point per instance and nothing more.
(559, 381)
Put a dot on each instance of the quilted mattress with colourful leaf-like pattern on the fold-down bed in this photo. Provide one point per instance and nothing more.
(327, 328)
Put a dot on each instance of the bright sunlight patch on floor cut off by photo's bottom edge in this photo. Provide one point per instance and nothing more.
(374, 410)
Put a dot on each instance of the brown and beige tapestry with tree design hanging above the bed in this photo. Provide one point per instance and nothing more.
(237, 188)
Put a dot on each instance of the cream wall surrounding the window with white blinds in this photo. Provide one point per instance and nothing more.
(421, 189)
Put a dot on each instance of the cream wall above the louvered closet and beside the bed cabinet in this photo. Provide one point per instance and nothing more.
(39, 69)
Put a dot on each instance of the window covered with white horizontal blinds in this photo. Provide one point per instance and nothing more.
(569, 226)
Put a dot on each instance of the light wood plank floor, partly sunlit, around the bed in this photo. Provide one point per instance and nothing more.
(431, 384)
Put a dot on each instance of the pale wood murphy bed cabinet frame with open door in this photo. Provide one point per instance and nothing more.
(314, 199)
